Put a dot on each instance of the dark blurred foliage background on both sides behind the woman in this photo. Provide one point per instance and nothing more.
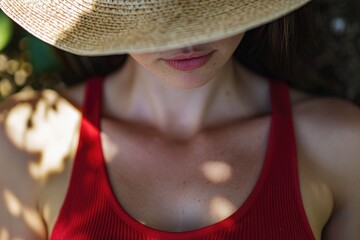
(331, 68)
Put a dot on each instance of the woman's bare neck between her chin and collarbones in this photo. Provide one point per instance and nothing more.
(177, 112)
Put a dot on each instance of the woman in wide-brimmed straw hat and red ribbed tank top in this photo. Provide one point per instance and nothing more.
(182, 142)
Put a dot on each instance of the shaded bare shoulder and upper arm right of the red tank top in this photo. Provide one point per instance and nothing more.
(328, 137)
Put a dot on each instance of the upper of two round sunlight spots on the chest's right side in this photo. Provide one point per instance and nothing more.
(216, 171)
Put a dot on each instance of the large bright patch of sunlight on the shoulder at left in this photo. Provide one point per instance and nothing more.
(31, 129)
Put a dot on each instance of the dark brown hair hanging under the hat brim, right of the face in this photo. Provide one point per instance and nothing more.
(277, 49)
